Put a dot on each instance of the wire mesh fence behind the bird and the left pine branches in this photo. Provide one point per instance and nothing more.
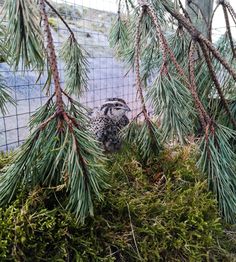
(107, 76)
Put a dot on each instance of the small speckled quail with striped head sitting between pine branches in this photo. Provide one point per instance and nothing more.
(107, 123)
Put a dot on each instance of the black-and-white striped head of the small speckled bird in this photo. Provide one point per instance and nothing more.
(114, 108)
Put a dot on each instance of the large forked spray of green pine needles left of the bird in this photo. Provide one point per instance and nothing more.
(70, 159)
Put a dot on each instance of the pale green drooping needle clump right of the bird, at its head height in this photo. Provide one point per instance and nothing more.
(172, 102)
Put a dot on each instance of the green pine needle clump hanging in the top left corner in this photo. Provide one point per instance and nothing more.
(24, 37)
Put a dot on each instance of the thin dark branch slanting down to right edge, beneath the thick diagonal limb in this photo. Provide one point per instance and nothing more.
(217, 84)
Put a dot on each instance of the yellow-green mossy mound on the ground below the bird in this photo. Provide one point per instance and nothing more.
(157, 211)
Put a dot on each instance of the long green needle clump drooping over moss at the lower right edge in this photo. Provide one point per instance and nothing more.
(218, 161)
